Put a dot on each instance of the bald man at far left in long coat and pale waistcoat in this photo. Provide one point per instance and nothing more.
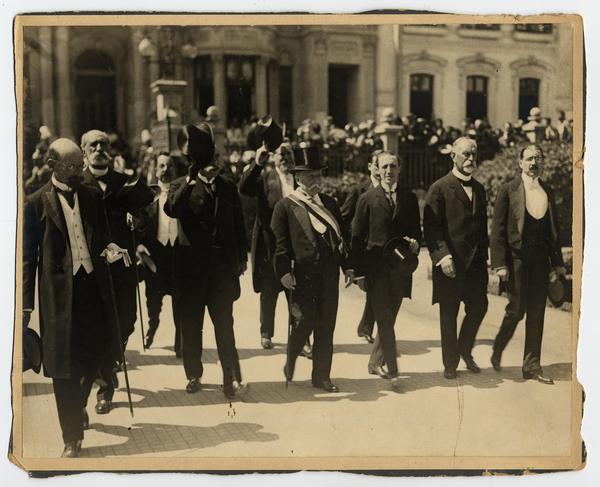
(66, 237)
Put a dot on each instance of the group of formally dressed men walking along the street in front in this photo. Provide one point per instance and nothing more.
(89, 225)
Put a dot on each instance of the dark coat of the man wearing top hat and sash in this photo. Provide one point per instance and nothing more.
(295, 238)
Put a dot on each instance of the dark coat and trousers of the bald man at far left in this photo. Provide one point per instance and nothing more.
(77, 322)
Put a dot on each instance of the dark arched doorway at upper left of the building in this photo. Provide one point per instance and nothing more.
(96, 91)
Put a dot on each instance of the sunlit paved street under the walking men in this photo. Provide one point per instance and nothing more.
(484, 414)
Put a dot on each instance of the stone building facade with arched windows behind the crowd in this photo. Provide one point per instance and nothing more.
(81, 77)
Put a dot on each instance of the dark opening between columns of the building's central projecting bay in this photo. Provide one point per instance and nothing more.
(239, 81)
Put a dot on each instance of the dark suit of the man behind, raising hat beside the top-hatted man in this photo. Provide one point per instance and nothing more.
(265, 186)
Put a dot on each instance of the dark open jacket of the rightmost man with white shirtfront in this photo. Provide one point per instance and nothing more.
(508, 222)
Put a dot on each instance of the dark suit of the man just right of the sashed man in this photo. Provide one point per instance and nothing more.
(374, 224)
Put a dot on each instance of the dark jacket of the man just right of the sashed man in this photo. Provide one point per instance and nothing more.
(375, 223)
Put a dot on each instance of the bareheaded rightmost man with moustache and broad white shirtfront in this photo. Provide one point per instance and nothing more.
(525, 250)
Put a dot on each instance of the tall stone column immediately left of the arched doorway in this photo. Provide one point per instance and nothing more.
(65, 128)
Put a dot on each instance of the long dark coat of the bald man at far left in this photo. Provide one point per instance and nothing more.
(46, 250)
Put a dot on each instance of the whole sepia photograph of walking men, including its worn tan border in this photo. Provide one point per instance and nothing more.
(280, 242)
